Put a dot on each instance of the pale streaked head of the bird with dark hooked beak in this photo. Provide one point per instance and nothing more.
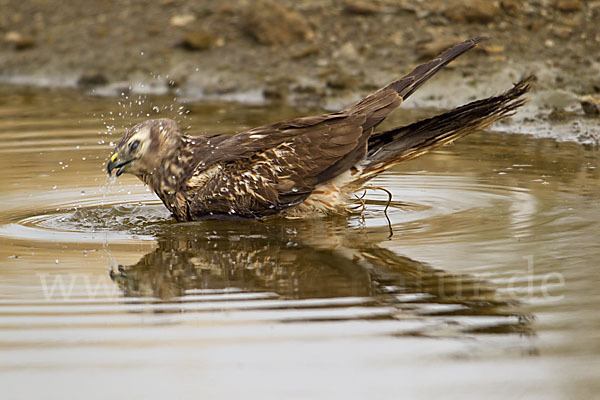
(144, 147)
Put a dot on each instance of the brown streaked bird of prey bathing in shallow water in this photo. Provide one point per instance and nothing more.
(304, 167)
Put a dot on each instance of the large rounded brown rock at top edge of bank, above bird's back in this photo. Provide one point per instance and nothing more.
(272, 24)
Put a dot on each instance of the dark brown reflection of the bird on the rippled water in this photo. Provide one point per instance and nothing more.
(308, 260)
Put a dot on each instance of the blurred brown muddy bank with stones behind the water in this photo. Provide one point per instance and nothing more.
(313, 53)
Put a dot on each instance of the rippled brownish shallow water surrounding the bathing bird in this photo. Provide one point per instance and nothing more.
(488, 287)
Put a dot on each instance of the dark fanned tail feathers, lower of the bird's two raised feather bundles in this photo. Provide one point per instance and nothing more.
(388, 148)
